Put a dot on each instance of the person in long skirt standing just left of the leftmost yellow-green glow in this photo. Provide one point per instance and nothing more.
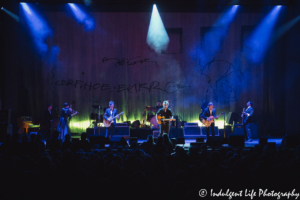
(63, 125)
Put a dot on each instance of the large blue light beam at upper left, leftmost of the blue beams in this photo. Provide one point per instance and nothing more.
(39, 29)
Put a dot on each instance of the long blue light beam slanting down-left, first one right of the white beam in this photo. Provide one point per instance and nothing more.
(216, 35)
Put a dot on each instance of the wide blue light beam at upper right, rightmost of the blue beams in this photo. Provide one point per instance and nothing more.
(258, 42)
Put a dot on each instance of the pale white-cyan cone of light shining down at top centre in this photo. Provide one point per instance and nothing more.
(157, 37)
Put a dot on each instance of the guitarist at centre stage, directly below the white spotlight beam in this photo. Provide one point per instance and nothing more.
(167, 113)
